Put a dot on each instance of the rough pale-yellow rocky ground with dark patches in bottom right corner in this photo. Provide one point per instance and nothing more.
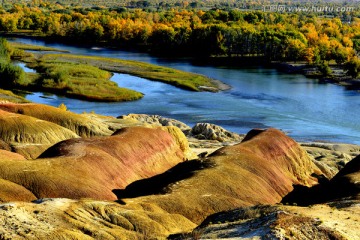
(281, 222)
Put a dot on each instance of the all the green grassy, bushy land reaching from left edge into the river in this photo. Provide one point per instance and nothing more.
(86, 77)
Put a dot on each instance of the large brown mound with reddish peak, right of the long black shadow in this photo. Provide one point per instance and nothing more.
(260, 170)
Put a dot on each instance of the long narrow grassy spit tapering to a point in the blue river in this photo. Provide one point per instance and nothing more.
(182, 79)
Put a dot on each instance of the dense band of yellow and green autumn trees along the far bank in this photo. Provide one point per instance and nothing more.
(312, 37)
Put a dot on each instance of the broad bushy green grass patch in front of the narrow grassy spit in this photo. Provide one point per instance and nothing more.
(79, 81)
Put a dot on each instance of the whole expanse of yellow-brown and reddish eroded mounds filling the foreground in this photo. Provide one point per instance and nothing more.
(159, 193)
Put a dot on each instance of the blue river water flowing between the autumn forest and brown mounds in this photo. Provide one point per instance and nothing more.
(259, 97)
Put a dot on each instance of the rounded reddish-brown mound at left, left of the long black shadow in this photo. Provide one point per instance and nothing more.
(94, 167)
